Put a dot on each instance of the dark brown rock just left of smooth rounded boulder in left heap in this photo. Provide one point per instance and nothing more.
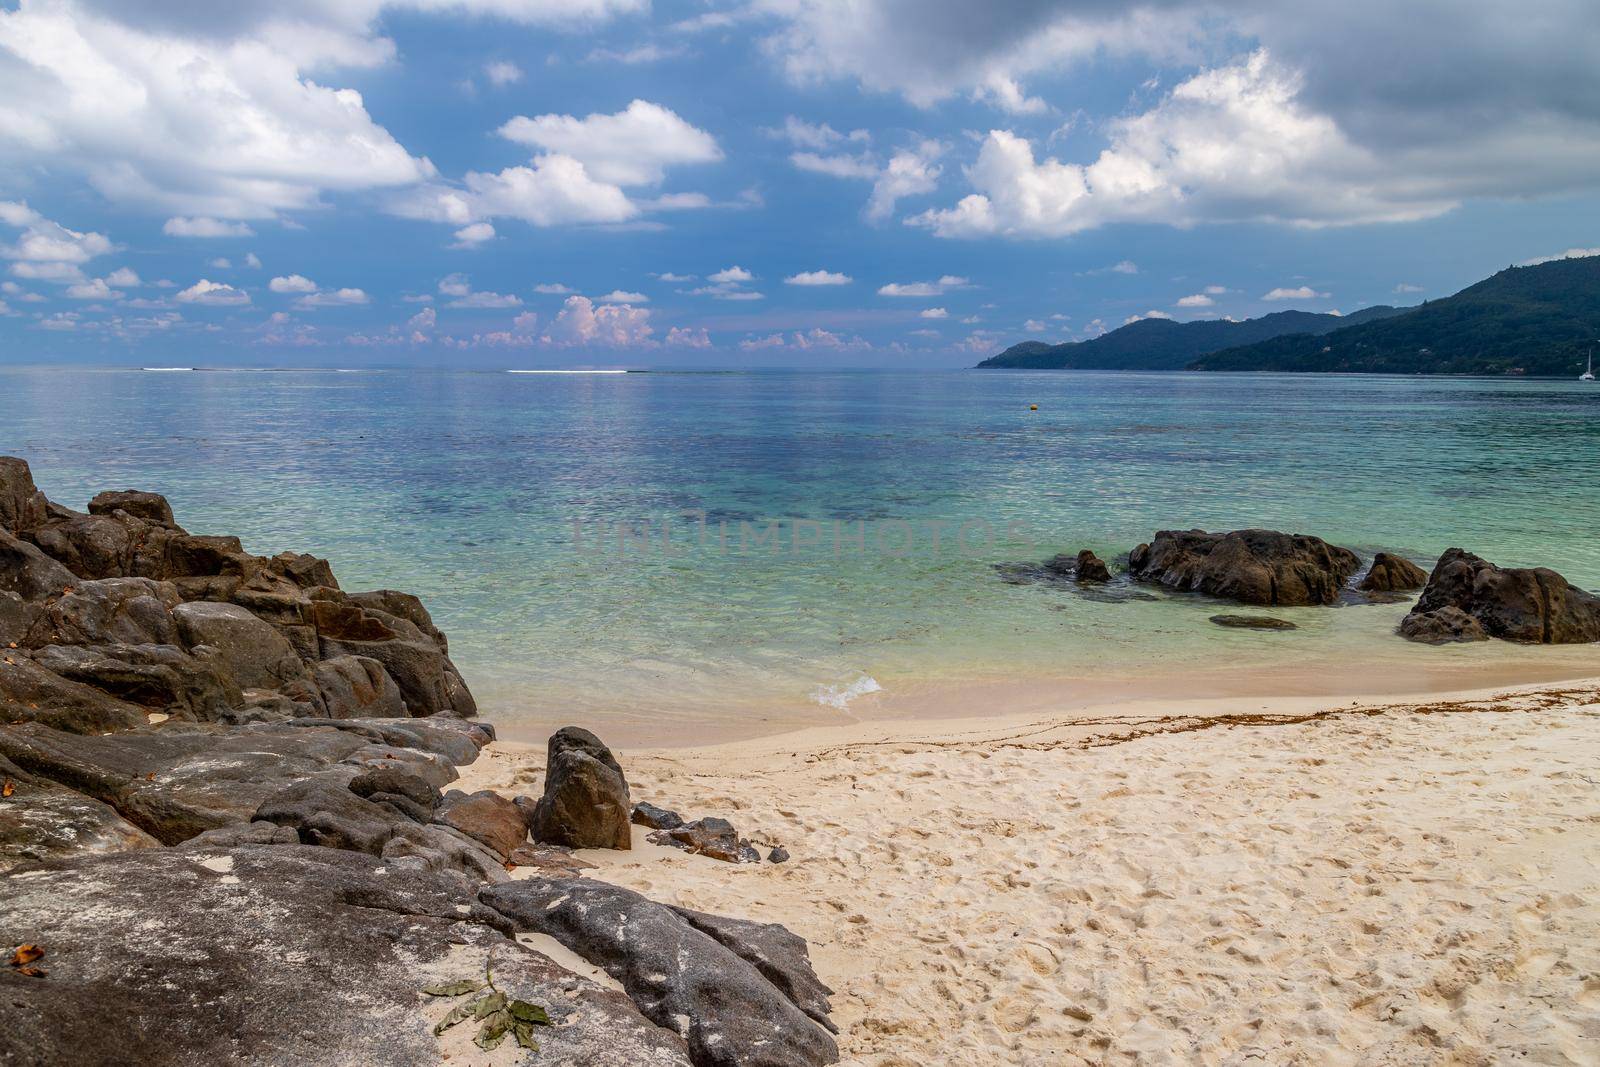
(156, 677)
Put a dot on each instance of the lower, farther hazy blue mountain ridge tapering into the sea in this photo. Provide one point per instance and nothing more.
(1162, 345)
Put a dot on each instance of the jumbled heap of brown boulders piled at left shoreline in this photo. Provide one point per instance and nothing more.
(118, 613)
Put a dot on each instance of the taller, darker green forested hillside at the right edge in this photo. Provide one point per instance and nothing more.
(1534, 321)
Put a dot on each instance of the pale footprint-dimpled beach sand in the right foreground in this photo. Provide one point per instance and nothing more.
(1420, 885)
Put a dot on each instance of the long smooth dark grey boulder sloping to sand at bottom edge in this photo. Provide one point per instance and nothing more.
(676, 975)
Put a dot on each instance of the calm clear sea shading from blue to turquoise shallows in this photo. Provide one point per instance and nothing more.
(466, 487)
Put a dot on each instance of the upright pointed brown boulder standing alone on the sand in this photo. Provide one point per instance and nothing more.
(585, 802)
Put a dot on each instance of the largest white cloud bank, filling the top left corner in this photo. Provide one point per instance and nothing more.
(218, 111)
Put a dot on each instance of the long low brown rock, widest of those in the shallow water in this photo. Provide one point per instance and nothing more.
(1258, 567)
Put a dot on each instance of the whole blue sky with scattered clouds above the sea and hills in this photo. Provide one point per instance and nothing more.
(762, 183)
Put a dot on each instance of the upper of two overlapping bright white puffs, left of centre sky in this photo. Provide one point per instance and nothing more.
(631, 148)
